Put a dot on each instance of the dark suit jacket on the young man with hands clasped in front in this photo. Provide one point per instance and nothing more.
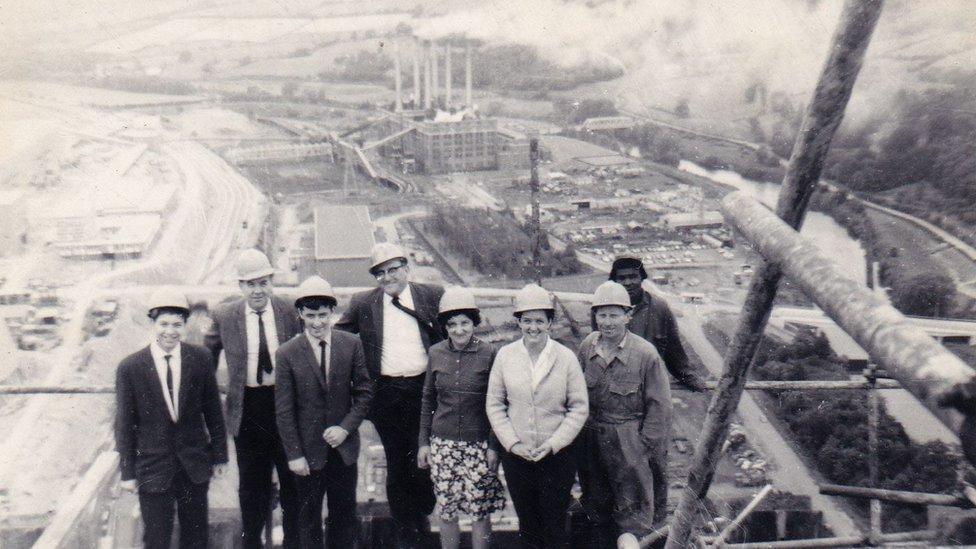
(305, 405)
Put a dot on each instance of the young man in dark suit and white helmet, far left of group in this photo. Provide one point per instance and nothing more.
(169, 429)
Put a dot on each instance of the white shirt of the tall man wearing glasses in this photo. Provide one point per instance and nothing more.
(403, 349)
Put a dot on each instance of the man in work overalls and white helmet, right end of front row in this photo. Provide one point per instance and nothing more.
(629, 423)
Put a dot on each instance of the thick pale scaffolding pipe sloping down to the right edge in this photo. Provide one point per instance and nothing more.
(922, 366)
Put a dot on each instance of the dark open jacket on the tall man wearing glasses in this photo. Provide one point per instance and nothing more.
(365, 317)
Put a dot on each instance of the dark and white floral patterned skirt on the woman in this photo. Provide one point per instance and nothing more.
(463, 482)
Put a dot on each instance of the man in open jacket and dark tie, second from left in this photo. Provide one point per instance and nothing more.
(249, 331)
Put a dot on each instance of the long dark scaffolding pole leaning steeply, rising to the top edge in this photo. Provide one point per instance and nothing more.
(820, 123)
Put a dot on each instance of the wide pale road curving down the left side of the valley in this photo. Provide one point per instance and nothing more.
(197, 247)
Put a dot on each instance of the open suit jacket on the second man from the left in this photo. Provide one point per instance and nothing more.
(229, 333)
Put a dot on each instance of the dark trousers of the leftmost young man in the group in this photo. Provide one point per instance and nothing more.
(191, 508)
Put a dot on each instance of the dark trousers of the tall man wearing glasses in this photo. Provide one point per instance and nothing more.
(396, 415)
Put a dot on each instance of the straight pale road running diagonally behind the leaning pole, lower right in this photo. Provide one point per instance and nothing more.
(789, 472)
